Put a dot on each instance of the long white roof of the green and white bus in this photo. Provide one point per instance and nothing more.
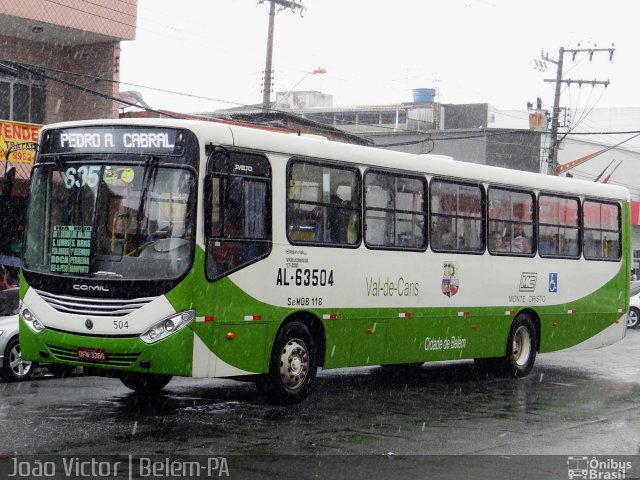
(432, 165)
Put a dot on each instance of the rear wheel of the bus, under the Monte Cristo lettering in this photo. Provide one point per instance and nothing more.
(521, 347)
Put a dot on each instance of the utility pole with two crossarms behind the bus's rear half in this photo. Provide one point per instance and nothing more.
(554, 143)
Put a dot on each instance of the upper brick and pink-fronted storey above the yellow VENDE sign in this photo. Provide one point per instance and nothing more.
(60, 60)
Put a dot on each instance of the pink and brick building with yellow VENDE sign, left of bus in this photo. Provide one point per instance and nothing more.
(58, 61)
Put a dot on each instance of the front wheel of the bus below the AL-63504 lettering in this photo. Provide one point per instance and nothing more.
(292, 366)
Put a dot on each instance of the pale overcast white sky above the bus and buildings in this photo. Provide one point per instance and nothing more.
(205, 55)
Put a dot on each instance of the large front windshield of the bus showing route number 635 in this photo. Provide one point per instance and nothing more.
(128, 221)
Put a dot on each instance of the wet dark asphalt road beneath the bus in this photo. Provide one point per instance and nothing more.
(578, 403)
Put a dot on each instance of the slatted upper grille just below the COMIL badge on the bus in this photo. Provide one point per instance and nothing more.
(94, 306)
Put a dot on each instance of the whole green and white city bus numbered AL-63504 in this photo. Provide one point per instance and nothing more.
(160, 248)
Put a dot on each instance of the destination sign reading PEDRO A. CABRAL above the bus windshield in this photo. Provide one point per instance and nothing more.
(132, 139)
